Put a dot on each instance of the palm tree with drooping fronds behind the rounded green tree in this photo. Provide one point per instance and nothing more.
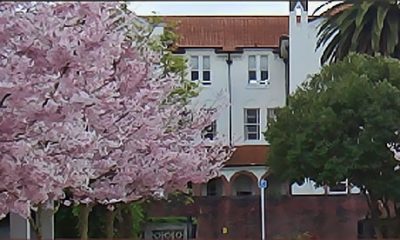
(362, 26)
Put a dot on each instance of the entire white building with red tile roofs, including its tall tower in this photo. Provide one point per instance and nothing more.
(248, 59)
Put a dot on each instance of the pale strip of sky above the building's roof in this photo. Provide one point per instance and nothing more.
(216, 7)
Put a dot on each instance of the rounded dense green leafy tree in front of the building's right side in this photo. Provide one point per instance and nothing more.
(337, 125)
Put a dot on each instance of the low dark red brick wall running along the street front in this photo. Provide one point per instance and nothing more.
(329, 217)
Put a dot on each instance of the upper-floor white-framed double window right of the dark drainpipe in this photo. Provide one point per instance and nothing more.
(258, 69)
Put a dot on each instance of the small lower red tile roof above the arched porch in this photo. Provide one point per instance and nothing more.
(249, 155)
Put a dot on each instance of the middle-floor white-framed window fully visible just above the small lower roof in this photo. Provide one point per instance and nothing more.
(252, 124)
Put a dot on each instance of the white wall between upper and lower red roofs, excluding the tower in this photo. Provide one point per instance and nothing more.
(244, 95)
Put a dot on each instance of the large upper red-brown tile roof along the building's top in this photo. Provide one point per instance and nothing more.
(230, 32)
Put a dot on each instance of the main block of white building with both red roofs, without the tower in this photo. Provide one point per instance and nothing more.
(238, 56)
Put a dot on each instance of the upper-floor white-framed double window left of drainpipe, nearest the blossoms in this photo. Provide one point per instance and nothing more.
(200, 69)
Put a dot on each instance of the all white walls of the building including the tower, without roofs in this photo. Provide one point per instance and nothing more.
(304, 60)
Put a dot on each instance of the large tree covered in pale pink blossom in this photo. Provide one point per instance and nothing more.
(84, 109)
